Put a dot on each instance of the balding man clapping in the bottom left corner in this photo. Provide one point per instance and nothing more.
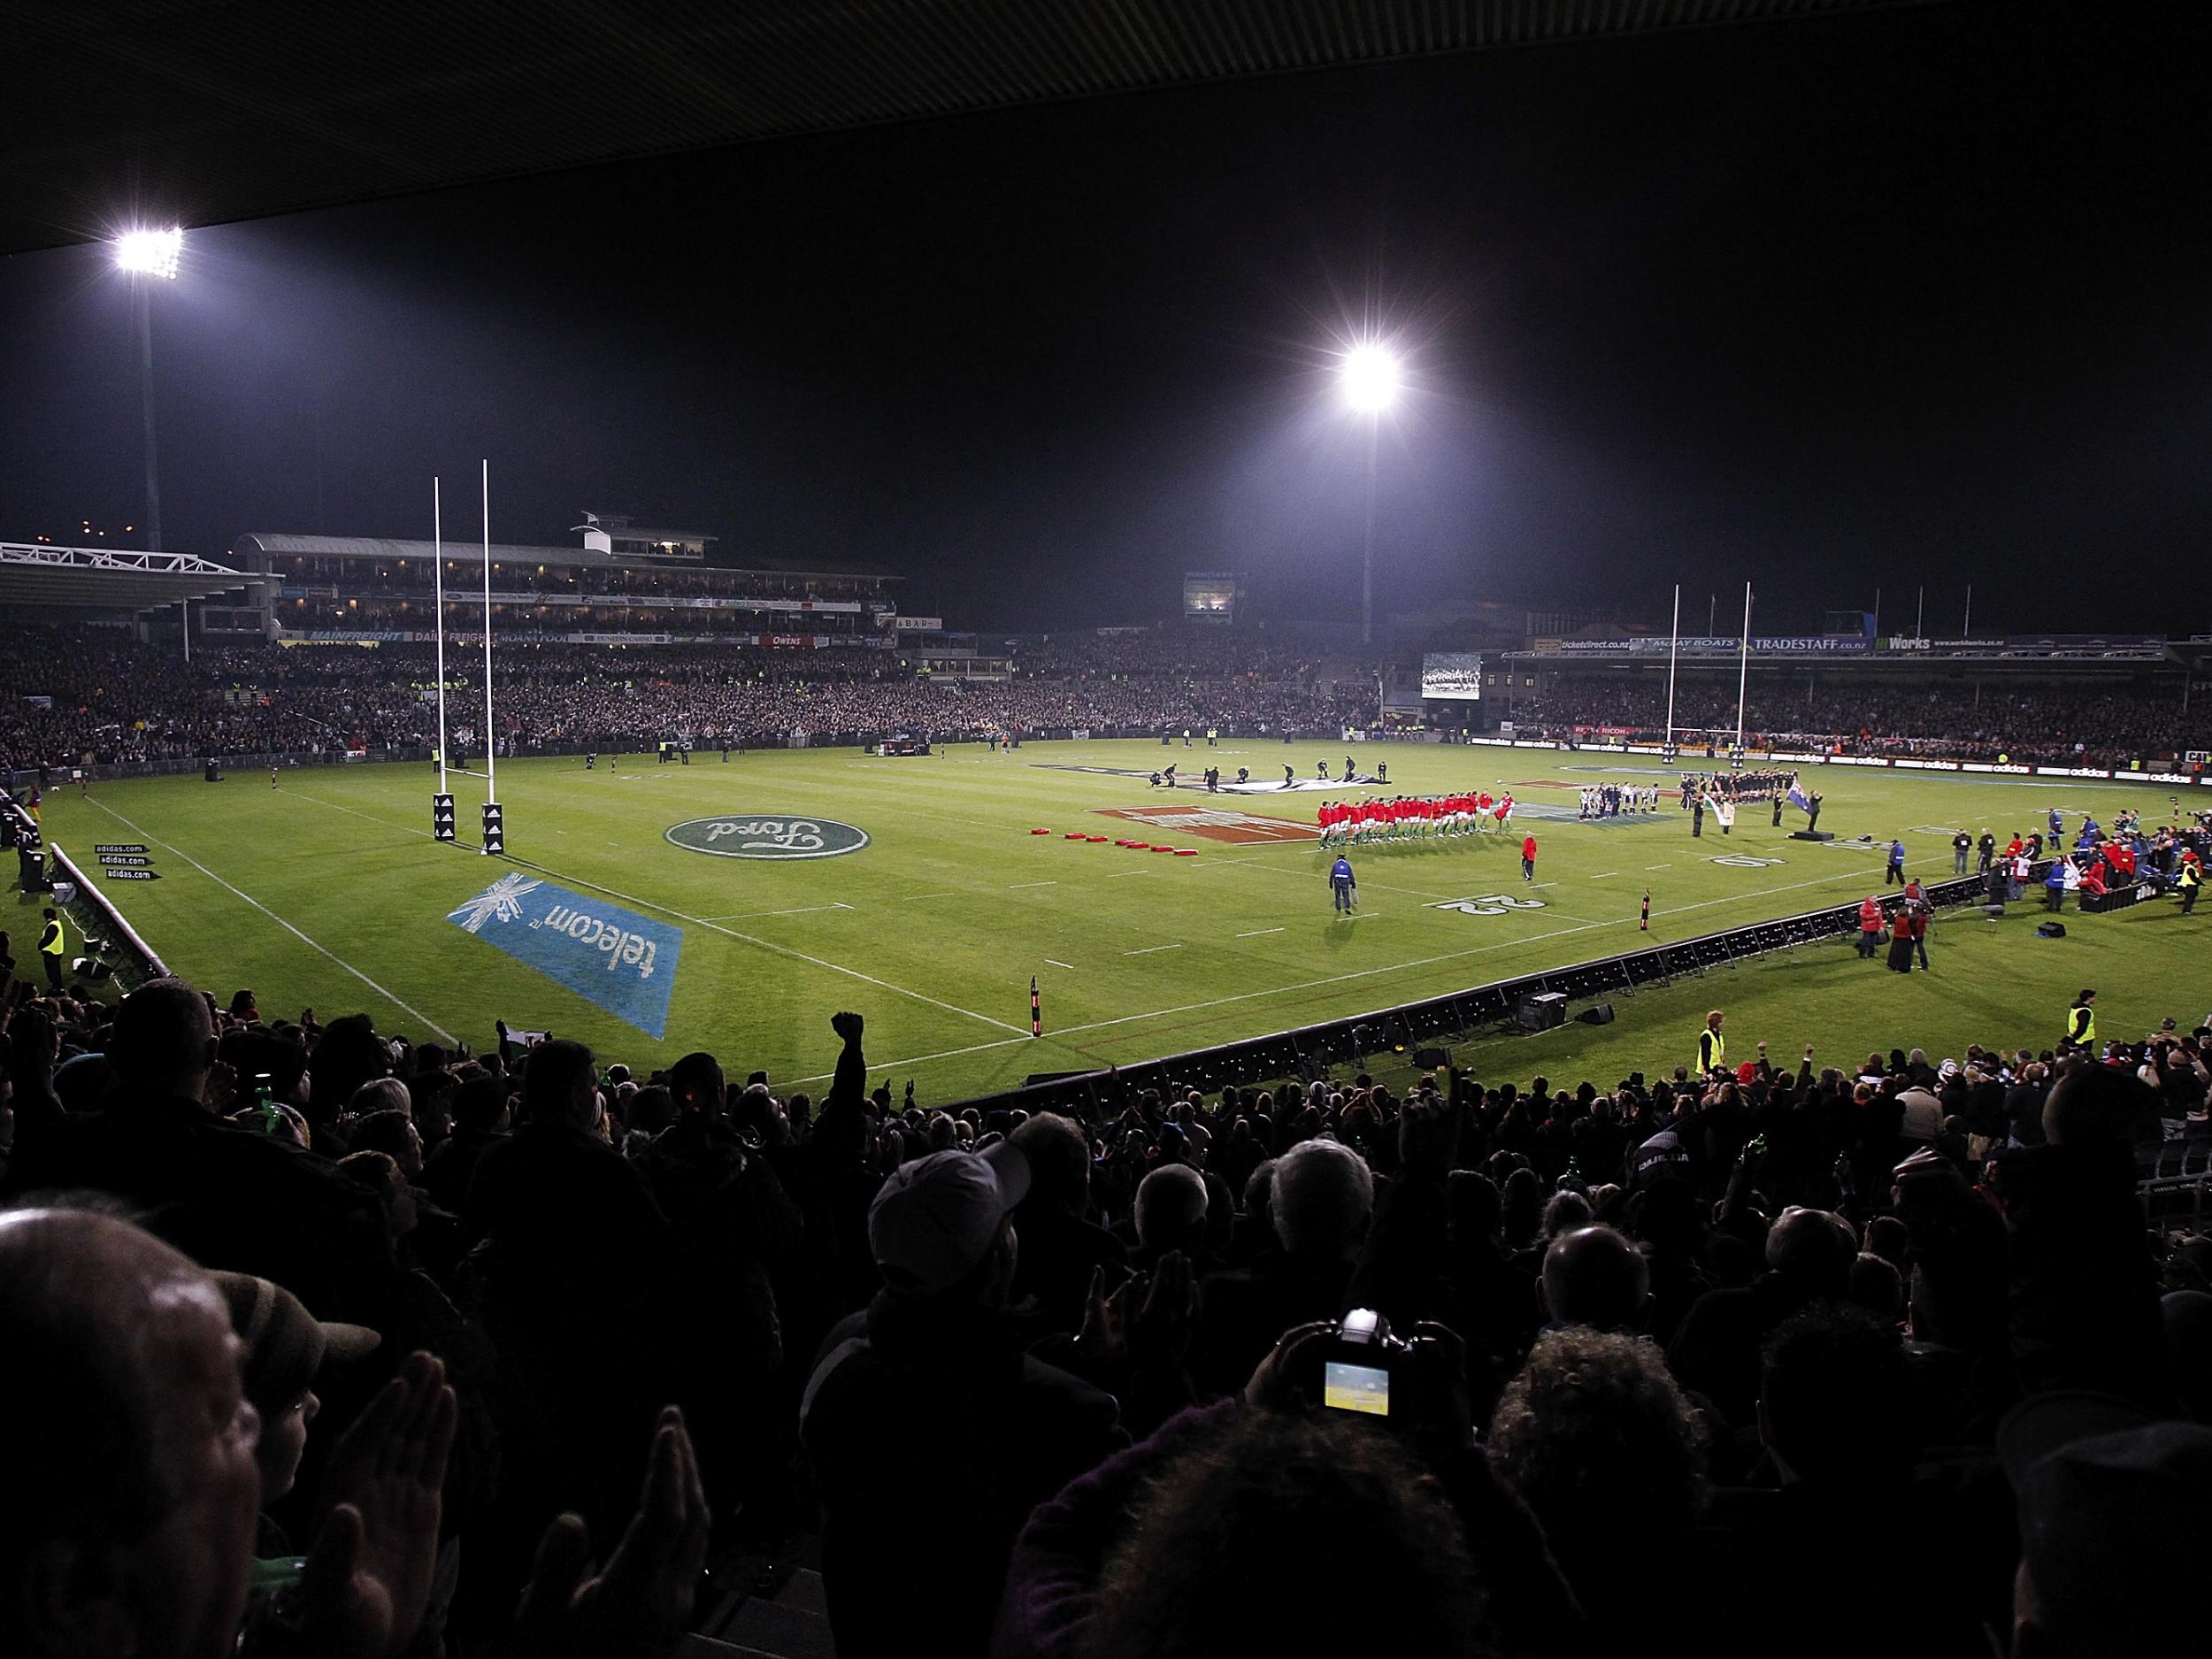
(129, 1521)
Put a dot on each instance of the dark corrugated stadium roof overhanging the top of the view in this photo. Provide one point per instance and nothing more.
(207, 112)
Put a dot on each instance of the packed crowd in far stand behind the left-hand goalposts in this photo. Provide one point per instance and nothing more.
(74, 693)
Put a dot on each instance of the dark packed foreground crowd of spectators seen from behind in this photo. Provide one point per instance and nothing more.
(342, 1342)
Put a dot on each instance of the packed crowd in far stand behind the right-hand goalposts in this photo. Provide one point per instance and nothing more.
(2103, 724)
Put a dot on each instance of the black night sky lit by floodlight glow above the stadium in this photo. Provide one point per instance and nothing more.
(1877, 302)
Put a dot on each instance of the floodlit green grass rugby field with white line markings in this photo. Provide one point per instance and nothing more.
(328, 893)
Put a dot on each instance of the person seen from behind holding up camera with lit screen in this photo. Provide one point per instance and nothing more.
(1198, 1541)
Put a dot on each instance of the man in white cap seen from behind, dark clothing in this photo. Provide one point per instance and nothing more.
(928, 1421)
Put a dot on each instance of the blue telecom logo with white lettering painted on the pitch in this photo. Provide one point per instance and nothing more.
(609, 957)
